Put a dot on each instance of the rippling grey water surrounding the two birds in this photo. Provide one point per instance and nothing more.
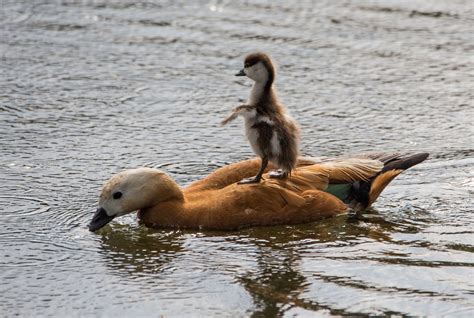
(89, 88)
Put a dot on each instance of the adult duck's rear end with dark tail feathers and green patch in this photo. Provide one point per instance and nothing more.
(364, 193)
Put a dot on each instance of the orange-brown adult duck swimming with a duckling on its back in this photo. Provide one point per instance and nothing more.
(318, 188)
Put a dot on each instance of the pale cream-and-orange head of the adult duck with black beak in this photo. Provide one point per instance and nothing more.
(132, 190)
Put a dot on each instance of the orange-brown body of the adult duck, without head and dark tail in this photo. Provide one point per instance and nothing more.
(217, 202)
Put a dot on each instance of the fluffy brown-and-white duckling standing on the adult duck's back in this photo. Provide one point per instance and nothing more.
(273, 135)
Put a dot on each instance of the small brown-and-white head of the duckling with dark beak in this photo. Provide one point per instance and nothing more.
(259, 67)
